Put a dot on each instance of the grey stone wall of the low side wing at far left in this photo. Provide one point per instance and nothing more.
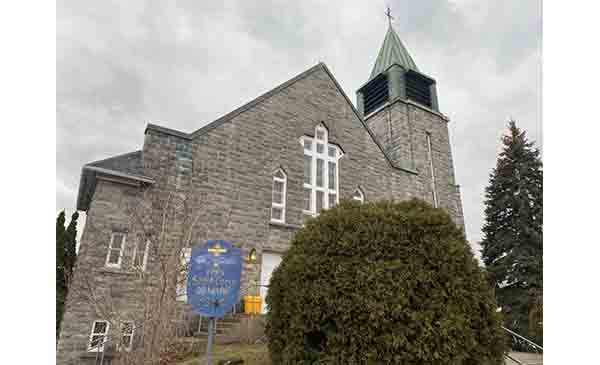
(109, 212)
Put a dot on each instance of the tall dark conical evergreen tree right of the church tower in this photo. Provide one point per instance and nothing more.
(512, 243)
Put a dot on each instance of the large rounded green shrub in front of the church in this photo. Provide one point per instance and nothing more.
(382, 283)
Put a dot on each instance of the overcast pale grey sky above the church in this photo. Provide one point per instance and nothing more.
(182, 64)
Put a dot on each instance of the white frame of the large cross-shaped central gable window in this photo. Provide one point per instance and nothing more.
(314, 155)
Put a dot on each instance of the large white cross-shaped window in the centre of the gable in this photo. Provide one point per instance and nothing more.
(321, 175)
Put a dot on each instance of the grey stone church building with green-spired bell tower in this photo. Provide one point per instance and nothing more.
(270, 164)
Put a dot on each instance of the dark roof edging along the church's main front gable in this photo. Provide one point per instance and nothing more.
(227, 117)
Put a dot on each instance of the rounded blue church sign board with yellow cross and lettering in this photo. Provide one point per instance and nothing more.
(214, 274)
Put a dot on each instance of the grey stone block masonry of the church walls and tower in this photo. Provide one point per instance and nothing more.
(227, 168)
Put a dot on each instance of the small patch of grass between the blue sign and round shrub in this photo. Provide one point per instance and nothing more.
(251, 354)
